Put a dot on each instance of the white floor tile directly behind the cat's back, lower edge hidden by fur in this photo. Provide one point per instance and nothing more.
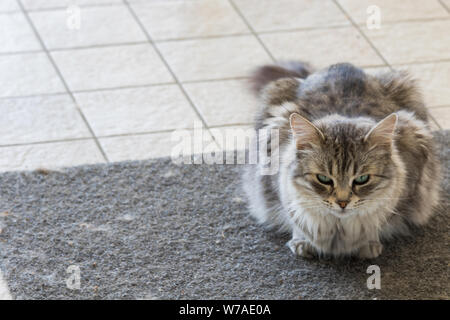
(322, 47)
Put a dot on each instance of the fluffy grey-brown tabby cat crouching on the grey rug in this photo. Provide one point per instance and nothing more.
(357, 158)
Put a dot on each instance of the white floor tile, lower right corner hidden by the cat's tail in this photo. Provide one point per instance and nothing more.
(214, 58)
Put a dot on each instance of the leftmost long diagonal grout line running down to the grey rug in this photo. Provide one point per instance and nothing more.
(30, 22)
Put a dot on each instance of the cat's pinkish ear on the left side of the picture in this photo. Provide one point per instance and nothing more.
(305, 132)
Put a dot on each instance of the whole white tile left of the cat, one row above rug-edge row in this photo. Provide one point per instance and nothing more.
(137, 110)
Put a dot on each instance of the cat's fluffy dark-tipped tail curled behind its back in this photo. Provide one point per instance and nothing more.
(266, 74)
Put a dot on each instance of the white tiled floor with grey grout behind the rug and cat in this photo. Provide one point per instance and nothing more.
(117, 85)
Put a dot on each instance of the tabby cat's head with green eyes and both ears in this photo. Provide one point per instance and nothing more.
(344, 166)
